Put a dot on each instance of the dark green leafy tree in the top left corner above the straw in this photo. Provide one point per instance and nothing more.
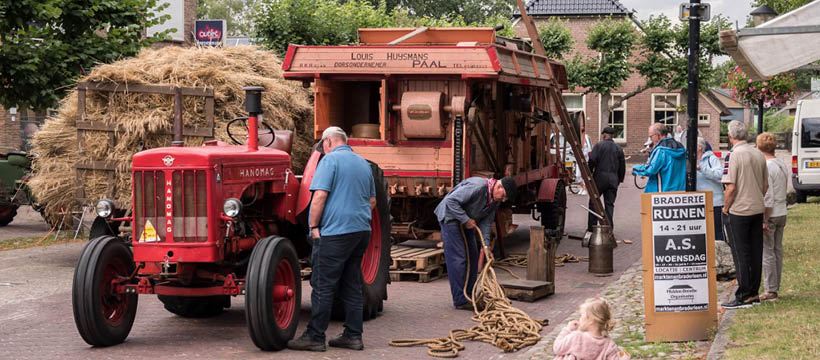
(46, 44)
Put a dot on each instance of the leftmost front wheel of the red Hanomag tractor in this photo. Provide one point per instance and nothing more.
(102, 316)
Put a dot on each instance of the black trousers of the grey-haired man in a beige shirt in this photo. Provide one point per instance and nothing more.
(746, 240)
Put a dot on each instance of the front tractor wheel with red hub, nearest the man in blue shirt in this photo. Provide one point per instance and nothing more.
(273, 293)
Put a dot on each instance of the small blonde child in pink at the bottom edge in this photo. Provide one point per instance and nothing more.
(588, 338)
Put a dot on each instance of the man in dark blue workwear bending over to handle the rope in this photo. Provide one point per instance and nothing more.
(472, 203)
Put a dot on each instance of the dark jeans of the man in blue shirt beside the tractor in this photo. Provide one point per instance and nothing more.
(336, 262)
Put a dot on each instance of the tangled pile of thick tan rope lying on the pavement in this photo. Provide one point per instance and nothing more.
(498, 323)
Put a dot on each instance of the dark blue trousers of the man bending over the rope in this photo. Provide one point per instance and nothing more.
(456, 255)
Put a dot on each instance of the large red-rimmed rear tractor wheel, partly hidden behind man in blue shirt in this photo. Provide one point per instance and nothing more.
(376, 260)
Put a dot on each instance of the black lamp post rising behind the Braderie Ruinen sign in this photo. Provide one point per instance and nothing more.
(693, 94)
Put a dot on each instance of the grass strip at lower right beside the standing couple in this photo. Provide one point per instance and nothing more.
(788, 328)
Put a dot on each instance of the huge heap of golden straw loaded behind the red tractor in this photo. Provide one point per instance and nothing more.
(147, 119)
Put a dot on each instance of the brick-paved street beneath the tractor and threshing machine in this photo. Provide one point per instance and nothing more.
(36, 319)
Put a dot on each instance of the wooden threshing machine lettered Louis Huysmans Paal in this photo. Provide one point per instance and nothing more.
(434, 106)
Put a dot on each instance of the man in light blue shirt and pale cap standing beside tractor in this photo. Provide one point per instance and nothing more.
(344, 195)
